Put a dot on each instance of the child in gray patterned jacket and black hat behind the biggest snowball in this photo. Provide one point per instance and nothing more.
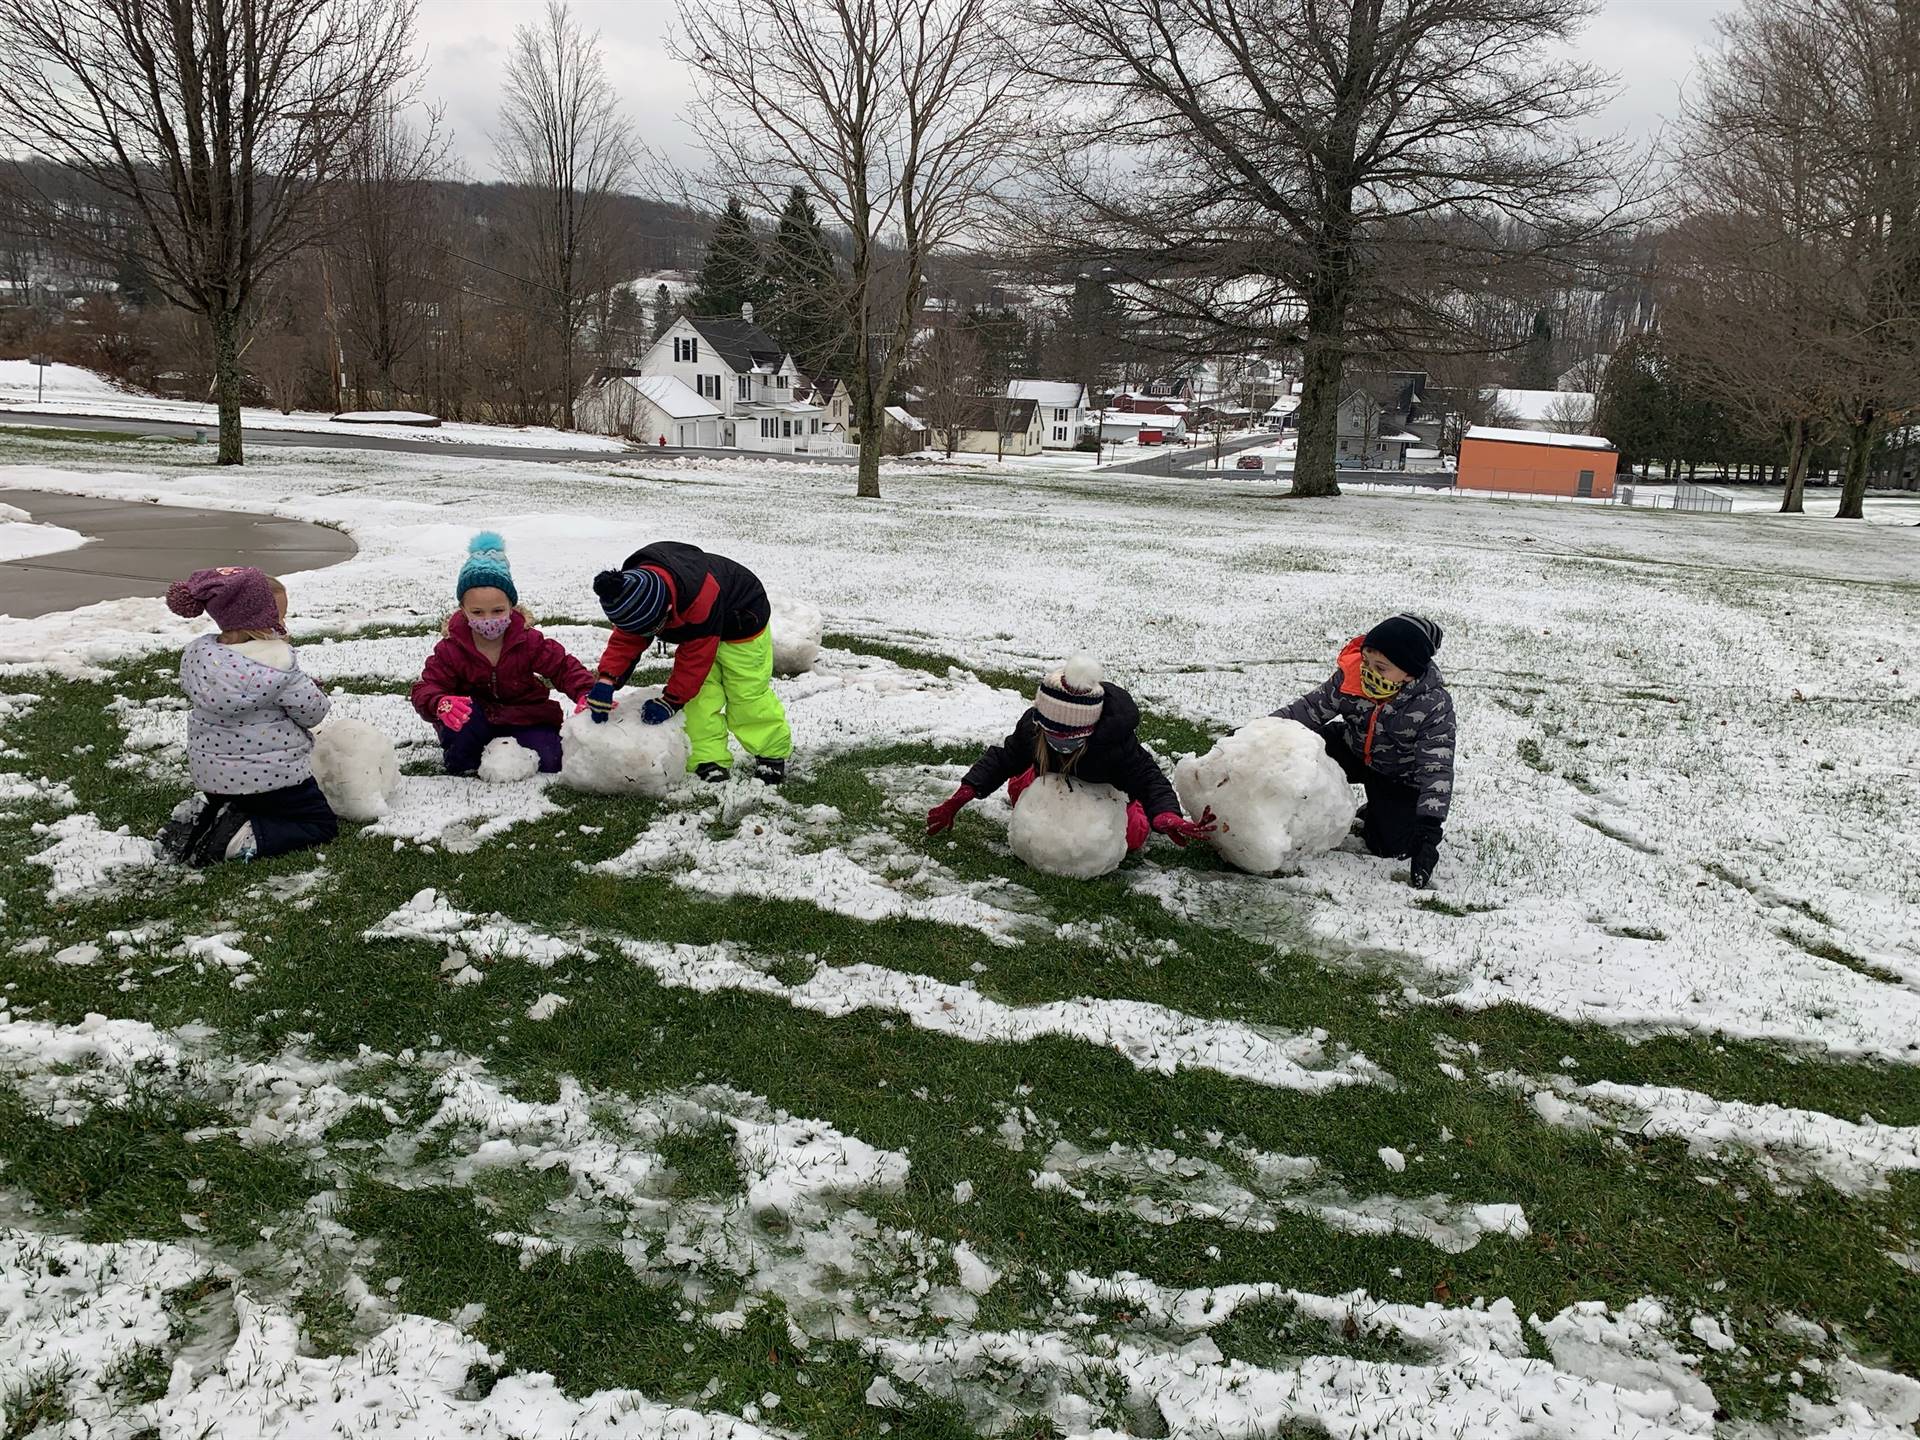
(1387, 719)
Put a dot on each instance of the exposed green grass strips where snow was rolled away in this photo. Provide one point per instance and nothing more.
(1612, 1220)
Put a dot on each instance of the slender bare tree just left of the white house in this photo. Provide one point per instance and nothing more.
(567, 147)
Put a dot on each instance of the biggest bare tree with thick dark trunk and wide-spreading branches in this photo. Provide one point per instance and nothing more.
(1341, 172)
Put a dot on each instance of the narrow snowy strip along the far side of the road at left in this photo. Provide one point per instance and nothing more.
(76, 391)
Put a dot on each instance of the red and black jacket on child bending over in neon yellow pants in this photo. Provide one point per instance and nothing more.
(709, 600)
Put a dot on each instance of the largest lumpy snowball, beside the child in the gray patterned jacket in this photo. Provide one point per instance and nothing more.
(1274, 790)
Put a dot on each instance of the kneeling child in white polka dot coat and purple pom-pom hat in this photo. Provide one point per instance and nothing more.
(249, 740)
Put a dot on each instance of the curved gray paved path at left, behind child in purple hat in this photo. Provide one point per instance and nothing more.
(139, 550)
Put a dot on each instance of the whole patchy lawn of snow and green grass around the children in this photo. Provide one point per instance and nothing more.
(757, 1111)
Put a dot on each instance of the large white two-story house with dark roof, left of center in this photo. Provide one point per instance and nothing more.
(742, 389)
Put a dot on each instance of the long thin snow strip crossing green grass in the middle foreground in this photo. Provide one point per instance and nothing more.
(1149, 1036)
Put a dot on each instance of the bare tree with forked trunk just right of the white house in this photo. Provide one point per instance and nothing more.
(894, 114)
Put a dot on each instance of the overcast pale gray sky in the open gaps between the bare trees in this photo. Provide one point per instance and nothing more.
(1648, 43)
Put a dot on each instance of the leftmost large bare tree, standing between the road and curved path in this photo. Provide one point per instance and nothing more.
(218, 124)
